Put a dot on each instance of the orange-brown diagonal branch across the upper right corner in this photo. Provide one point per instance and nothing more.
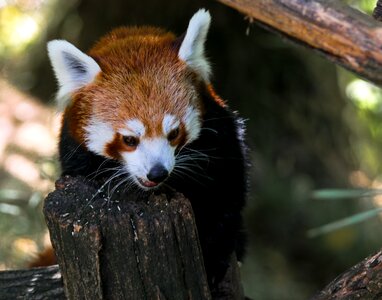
(341, 33)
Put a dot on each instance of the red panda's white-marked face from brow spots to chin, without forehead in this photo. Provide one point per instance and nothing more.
(149, 159)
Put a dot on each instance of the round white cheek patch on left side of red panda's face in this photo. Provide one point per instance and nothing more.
(98, 135)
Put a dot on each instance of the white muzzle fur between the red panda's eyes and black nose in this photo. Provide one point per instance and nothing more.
(150, 152)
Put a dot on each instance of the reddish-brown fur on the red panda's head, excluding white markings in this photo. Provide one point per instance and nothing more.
(142, 77)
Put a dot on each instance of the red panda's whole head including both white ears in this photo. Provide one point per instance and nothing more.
(135, 97)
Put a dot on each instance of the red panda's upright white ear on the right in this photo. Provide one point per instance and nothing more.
(192, 49)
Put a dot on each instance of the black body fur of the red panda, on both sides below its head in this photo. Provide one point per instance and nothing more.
(216, 185)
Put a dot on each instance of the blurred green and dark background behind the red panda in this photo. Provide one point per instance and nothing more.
(313, 128)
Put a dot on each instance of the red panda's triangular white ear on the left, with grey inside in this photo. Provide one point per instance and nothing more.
(73, 69)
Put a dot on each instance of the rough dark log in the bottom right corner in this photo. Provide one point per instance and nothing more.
(363, 281)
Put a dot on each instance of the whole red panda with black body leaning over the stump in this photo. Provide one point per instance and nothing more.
(140, 107)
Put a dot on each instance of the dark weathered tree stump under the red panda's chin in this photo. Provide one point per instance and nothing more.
(128, 247)
